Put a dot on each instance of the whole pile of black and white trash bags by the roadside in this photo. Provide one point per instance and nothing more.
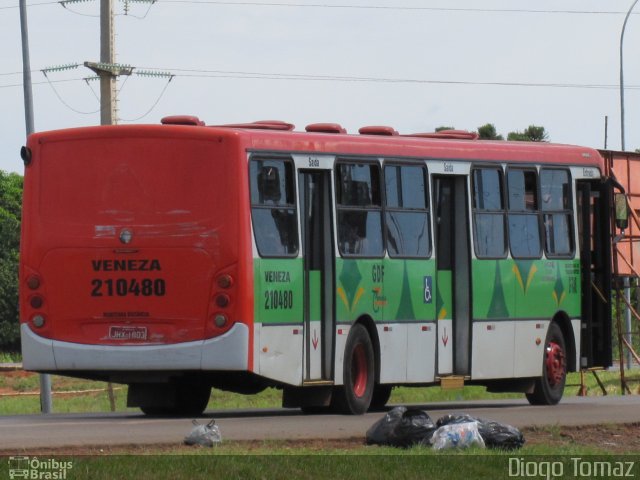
(402, 427)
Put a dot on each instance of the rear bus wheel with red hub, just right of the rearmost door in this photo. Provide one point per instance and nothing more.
(358, 373)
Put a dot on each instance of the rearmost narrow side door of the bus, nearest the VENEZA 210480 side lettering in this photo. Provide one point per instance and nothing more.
(318, 257)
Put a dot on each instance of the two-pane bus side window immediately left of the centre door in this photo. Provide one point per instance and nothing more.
(407, 222)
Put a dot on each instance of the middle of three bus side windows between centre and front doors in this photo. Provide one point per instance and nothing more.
(524, 218)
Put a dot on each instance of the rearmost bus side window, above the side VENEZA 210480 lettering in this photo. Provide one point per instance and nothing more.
(273, 207)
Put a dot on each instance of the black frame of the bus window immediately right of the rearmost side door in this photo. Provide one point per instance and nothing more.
(345, 160)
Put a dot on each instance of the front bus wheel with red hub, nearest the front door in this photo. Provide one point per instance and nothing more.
(549, 388)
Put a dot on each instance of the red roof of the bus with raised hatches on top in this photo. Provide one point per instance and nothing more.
(277, 136)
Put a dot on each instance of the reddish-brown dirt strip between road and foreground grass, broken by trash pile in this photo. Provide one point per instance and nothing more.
(612, 438)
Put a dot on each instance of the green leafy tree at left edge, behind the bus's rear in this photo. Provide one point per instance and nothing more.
(10, 216)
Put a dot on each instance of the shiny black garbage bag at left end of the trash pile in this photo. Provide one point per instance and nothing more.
(402, 427)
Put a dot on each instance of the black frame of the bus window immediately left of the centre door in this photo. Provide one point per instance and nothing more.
(392, 162)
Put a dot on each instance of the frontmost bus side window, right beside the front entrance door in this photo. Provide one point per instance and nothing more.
(557, 215)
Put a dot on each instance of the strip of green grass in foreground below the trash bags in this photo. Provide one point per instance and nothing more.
(274, 460)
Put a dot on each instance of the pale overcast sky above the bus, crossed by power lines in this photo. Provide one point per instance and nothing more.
(411, 64)
